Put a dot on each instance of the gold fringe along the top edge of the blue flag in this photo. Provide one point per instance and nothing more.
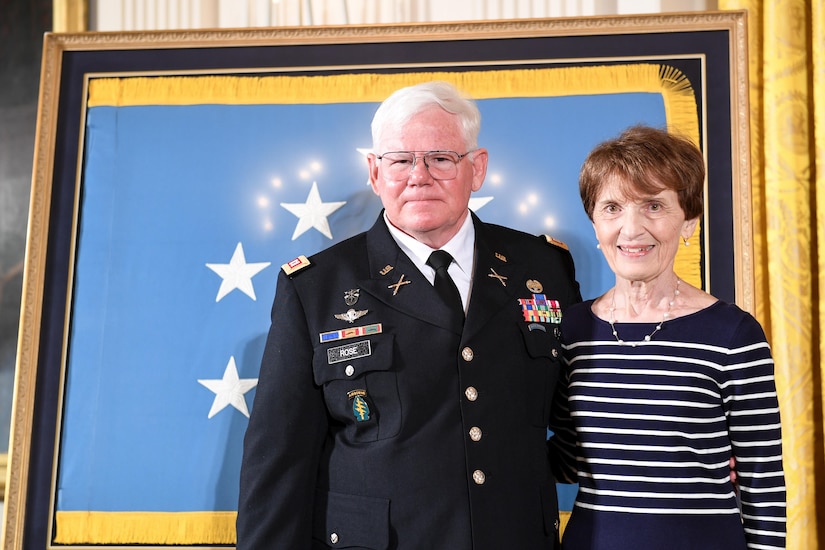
(355, 88)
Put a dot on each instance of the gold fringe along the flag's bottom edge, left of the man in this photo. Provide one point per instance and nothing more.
(145, 528)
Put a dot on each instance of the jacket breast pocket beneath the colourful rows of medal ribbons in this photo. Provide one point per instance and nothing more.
(541, 342)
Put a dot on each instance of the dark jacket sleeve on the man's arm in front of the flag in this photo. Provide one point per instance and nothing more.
(283, 441)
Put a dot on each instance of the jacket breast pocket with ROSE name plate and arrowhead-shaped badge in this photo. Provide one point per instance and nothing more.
(360, 386)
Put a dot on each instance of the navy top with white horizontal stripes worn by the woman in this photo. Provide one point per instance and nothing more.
(653, 427)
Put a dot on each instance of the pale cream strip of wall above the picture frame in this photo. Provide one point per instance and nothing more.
(115, 15)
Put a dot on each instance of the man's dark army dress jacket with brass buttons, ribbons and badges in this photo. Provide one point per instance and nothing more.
(385, 428)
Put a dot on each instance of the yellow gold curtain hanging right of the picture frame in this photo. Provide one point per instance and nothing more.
(787, 96)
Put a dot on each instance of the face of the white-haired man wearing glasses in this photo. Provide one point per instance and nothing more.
(430, 210)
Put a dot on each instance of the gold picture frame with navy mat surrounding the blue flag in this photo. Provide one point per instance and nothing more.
(707, 49)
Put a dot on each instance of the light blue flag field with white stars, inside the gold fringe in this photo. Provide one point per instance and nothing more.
(187, 213)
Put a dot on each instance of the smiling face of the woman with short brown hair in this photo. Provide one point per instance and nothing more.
(639, 236)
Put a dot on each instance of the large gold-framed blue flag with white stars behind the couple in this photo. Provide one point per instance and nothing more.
(176, 172)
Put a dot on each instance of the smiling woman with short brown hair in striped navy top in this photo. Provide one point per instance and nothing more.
(665, 383)
